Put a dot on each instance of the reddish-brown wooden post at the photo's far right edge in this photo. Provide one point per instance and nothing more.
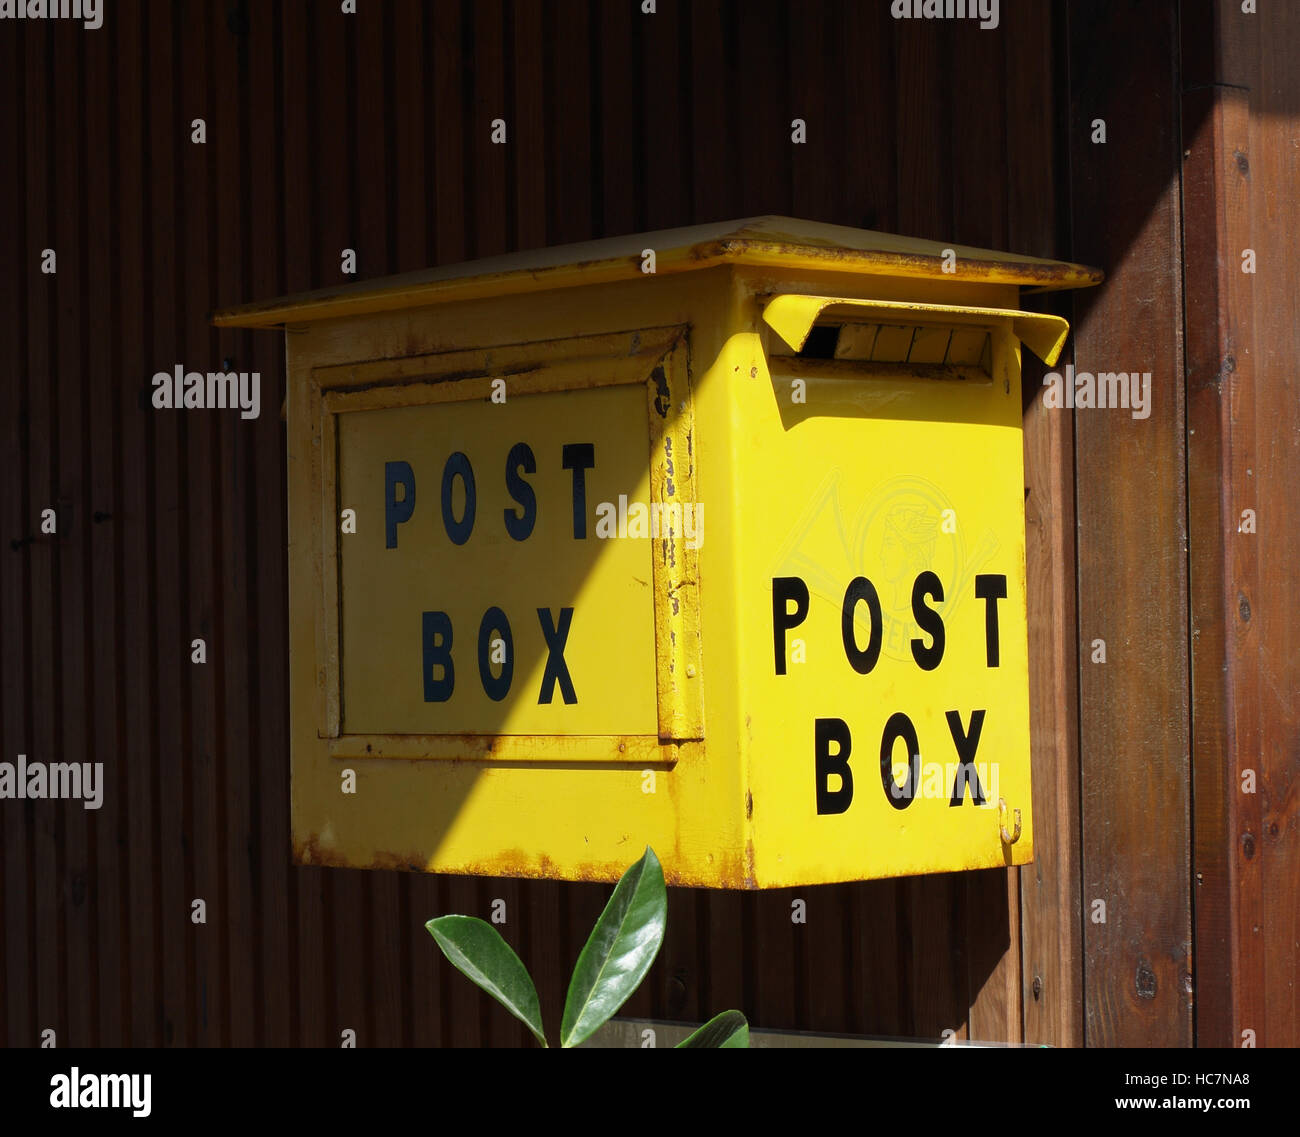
(1240, 97)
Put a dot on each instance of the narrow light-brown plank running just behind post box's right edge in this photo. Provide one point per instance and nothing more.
(1051, 914)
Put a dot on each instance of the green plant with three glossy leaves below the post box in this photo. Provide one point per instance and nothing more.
(618, 954)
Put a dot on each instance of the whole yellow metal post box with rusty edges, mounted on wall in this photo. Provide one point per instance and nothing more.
(709, 540)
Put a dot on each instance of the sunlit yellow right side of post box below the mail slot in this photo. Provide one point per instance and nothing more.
(870, 756)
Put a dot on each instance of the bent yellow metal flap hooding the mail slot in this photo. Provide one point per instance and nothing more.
(792, 318)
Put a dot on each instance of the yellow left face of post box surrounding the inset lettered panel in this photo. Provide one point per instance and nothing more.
(565, 821)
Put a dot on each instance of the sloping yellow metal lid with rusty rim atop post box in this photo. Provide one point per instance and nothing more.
(772, 242)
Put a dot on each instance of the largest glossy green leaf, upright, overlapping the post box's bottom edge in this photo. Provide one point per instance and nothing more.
(619, 952)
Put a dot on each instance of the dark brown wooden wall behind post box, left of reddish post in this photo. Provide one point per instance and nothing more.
(330, 132)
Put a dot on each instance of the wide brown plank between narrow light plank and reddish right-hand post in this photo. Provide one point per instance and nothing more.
(1132, 510)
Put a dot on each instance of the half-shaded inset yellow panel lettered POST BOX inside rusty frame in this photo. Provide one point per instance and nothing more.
(479, 598)
